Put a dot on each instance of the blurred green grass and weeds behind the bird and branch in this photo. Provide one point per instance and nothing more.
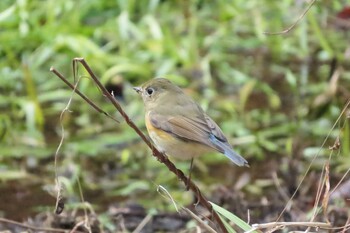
(276, 97)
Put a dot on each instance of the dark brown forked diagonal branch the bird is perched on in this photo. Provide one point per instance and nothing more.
(160, 156)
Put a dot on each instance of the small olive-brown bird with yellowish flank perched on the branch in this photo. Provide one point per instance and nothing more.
(178, 126)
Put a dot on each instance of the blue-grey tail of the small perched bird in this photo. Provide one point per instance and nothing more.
(226, 149)
